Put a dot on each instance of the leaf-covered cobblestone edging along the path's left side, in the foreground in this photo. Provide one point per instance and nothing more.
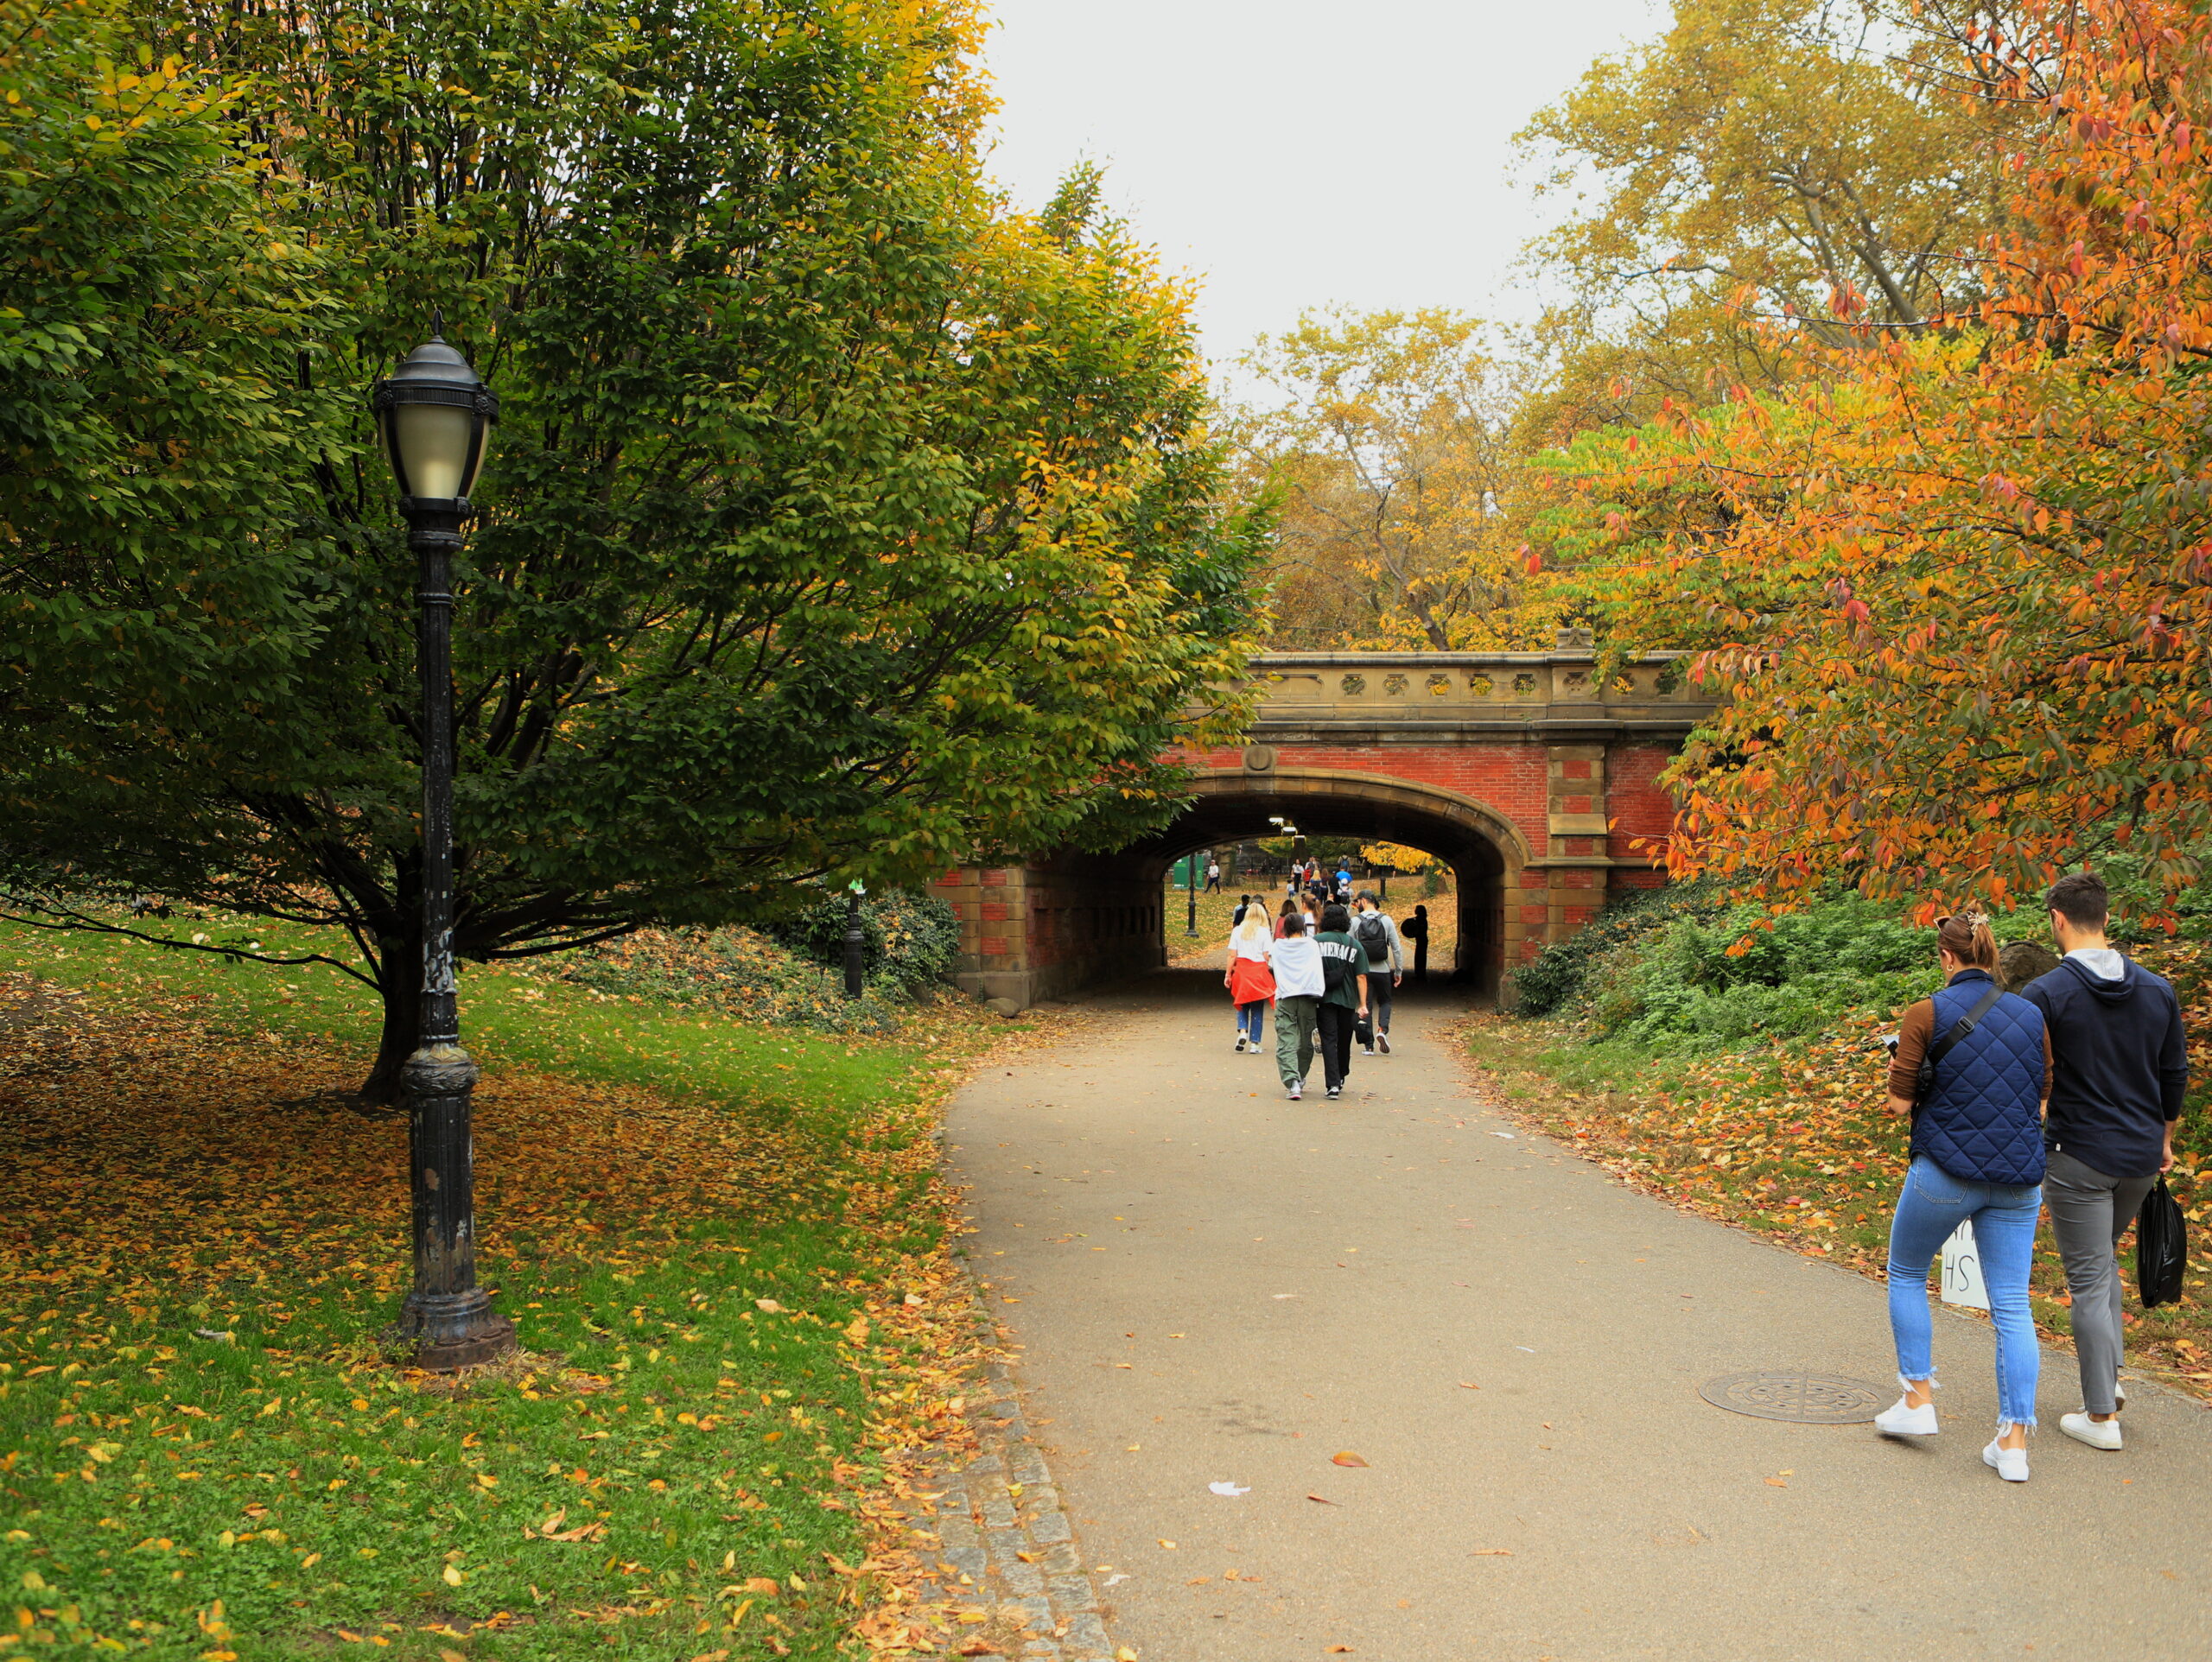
(1003, 1542)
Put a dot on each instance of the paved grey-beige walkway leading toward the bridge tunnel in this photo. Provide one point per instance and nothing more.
(1218, 1285)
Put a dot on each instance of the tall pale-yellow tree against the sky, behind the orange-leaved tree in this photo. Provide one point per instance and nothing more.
(1753, 167)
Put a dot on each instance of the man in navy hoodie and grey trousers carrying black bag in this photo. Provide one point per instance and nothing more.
(2116, 1093)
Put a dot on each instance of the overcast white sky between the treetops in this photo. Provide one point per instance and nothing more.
(1295, 154)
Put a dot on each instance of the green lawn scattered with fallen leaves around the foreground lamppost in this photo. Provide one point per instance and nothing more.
(205, 1453)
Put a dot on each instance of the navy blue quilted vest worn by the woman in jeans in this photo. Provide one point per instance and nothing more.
(1983, 1115)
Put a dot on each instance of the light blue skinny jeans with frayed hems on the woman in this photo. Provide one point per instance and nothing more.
(1934, 1203)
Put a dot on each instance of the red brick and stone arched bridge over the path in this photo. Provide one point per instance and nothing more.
(1521, 770)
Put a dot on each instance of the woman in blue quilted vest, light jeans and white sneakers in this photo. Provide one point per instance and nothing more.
(1979, 1157)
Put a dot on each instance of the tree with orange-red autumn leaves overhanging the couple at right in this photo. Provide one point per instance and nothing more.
(1957, 582)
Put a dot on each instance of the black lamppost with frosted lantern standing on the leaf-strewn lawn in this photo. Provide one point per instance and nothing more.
(432, 417)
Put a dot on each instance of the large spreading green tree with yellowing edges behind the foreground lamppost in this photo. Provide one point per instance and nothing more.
(837, 523)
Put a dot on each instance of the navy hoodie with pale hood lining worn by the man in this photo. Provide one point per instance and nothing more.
(2118, 1066)
